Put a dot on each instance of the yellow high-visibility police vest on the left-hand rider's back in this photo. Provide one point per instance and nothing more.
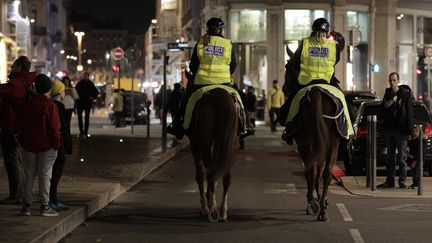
(215, 59)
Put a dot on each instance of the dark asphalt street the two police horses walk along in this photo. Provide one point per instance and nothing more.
(266, 203)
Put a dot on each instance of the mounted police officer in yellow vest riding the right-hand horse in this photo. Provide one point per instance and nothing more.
(314, 60)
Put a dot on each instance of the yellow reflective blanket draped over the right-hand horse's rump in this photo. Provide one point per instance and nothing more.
(343, 122)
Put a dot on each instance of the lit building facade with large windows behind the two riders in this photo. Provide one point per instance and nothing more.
(382, 36)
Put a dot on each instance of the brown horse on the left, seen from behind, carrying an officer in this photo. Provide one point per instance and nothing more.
(213, 138)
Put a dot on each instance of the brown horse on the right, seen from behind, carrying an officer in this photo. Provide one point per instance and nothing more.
(317, 140)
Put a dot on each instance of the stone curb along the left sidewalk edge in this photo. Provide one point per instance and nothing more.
(57, 232)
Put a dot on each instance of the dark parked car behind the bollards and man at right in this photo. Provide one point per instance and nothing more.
(355, 161)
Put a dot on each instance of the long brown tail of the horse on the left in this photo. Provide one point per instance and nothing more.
(226, 131)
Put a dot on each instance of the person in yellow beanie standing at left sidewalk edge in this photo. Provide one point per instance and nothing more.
(57, 95)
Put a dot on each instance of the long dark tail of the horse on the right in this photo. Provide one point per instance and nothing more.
(321, 131)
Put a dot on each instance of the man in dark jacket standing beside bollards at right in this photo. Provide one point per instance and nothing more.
(398, 126)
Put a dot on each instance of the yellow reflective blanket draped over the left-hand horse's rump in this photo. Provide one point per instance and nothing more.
(199, 93)
